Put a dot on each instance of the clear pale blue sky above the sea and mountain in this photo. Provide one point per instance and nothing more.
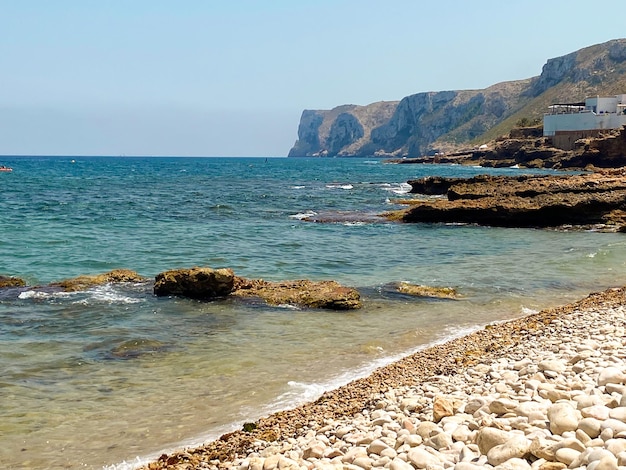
(231, 77)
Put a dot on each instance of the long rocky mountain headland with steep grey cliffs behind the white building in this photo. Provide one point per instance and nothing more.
(431, 122)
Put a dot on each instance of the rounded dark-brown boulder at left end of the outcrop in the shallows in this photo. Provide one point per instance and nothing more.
(196, 283)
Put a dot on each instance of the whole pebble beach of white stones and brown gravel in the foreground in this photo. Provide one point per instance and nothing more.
(546, 391)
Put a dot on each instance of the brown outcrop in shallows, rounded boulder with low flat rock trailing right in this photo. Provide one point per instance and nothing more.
(207, 283)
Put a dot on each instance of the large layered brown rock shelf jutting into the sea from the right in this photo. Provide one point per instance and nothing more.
(596, 199)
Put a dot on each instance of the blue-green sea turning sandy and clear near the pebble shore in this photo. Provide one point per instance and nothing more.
(112, 377)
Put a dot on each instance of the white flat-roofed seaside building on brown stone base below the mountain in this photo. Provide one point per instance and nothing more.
(568, 122)
